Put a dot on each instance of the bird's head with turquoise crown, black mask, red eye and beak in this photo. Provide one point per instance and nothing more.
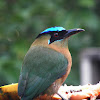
(57, 34)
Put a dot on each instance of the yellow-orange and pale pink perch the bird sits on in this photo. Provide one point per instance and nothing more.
(9, 92)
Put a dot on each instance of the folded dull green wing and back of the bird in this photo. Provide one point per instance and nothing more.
(41, 67)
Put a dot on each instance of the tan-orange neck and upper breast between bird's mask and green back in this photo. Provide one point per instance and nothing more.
(59, 46)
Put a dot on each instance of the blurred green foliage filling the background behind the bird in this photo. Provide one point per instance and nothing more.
(22, 20)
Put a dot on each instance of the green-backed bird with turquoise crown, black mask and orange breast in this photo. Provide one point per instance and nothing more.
(47, 63)
